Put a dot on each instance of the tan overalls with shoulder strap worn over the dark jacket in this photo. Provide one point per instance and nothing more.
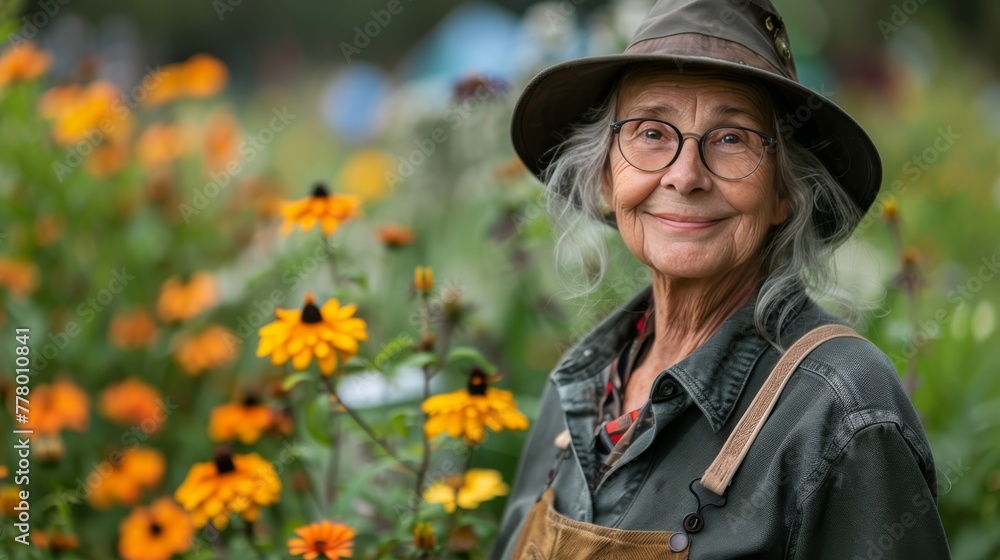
(549, 535)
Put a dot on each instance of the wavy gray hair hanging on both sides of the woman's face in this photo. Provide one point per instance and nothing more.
(796, 257)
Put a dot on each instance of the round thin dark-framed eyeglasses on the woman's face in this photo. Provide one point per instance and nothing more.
(731, 152)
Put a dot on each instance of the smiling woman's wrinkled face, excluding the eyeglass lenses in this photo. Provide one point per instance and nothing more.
(684, 221)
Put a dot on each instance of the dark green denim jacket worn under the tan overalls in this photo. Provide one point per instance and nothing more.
(841, 469)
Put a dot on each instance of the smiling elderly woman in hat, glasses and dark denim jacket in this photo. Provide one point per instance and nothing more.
(709, 418)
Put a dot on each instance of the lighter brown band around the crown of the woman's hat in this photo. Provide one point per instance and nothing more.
(703, 46)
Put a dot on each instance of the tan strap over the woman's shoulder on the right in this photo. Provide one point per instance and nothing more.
(720, 473)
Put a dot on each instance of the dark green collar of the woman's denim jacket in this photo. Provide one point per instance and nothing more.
(714, 375)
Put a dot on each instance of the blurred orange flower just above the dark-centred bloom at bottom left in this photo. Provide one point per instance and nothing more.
(124, 476)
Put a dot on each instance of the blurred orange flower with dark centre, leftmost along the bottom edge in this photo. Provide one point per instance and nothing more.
(156, 532)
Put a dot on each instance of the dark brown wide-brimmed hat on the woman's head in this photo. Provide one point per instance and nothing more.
(741, 38)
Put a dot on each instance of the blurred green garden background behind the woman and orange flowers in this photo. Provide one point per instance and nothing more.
(365, 92)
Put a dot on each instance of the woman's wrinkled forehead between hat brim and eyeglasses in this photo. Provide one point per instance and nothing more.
(649, 85)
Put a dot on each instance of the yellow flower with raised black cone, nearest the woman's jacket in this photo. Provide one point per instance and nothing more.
(466, 413)
